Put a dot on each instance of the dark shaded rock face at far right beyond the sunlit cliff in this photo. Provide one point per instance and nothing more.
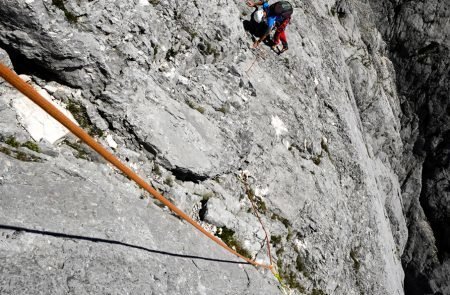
(418, 34)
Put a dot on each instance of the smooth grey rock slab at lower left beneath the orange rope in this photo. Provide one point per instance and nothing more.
(77, 237)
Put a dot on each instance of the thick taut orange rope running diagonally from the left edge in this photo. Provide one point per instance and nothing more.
(32, 94)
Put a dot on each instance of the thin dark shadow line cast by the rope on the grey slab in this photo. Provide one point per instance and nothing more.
(112, 242)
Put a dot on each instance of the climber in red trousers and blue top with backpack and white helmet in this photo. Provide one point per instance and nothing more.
(278, 16)
